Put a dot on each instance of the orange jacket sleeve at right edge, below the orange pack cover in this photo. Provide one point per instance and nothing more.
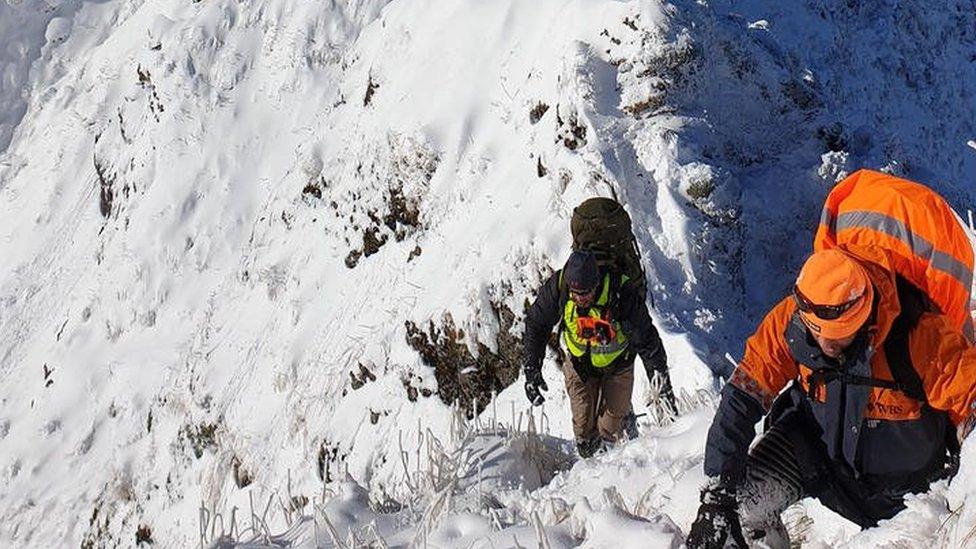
(946, 362)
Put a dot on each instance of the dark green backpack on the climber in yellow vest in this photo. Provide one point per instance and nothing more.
(602, 226)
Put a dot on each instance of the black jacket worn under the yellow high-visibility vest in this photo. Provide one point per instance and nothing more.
(628, 308)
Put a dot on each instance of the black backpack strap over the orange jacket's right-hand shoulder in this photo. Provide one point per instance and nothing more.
(896, 346)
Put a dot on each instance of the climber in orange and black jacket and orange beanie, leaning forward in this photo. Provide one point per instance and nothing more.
(883, 390)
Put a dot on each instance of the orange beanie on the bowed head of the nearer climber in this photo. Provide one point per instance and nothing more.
(831, 277)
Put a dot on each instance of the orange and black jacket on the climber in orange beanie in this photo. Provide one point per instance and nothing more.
(888, 438)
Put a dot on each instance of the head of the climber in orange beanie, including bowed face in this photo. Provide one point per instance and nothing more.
(834, 296)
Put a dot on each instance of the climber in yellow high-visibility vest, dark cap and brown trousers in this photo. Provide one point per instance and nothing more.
(603, 325)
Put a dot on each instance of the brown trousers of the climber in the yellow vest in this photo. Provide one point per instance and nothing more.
(599, 404)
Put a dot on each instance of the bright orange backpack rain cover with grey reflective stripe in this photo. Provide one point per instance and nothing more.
(926, 240)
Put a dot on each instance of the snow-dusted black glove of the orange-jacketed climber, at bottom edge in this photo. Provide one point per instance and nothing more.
(717, 522)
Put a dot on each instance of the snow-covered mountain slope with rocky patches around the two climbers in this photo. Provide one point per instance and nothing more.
(250, 247)
